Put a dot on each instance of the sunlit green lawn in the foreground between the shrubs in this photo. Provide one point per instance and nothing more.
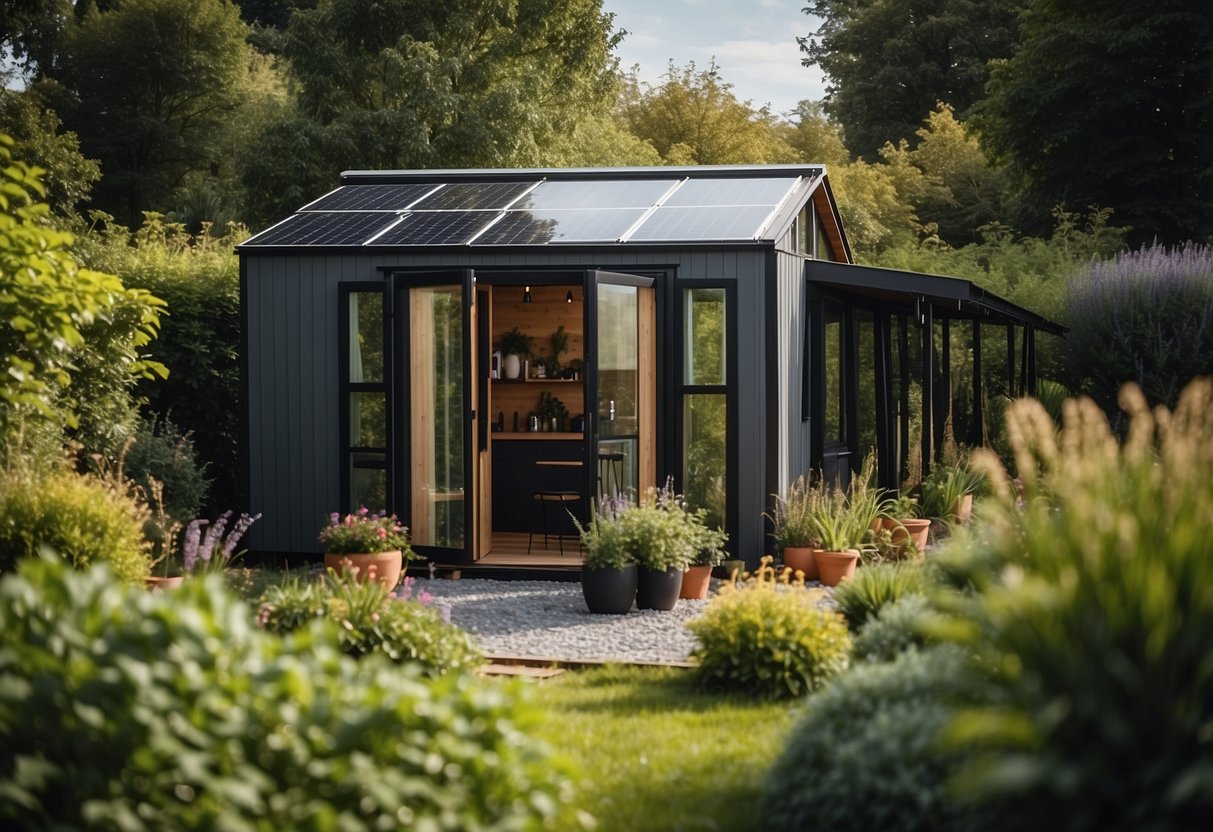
(657, 754)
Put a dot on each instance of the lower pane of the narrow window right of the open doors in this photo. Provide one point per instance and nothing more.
(704, 454)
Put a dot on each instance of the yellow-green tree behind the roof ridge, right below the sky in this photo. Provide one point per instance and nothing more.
(693, 118)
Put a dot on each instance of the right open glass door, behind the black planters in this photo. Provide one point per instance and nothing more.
(622, 339)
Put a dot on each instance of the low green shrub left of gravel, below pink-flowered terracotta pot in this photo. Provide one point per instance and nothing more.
(372, 620)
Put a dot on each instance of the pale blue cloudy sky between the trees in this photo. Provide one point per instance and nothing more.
(754, 43)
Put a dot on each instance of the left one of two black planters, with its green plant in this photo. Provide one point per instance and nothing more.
(608, 572)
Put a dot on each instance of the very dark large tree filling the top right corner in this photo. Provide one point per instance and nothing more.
(1111, 105)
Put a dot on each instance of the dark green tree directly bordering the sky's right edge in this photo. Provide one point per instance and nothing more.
(889, 62)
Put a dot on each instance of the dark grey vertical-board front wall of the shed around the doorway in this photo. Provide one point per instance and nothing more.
(293, 374)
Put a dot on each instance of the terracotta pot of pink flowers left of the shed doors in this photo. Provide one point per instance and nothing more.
(371, 546)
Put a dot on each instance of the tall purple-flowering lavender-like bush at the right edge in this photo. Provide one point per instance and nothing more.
(1144, 317)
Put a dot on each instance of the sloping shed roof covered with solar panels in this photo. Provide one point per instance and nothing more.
(543, 208)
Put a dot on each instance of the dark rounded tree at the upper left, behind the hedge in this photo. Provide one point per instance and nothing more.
(153, 89)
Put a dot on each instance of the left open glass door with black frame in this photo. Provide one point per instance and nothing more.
(438, 413)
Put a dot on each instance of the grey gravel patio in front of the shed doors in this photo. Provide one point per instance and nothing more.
(549, 620)
